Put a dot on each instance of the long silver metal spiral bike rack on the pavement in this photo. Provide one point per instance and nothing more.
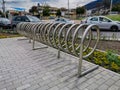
(75, 39)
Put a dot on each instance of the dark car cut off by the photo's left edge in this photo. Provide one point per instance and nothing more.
(5, 23)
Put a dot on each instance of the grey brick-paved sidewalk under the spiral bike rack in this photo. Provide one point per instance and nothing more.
(22, 68)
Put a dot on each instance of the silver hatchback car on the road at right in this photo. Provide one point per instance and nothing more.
(103, 22)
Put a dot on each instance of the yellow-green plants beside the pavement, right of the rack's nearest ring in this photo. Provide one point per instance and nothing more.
(107, 59)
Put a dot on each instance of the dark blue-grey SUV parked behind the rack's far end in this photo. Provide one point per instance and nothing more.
(26, 18)
